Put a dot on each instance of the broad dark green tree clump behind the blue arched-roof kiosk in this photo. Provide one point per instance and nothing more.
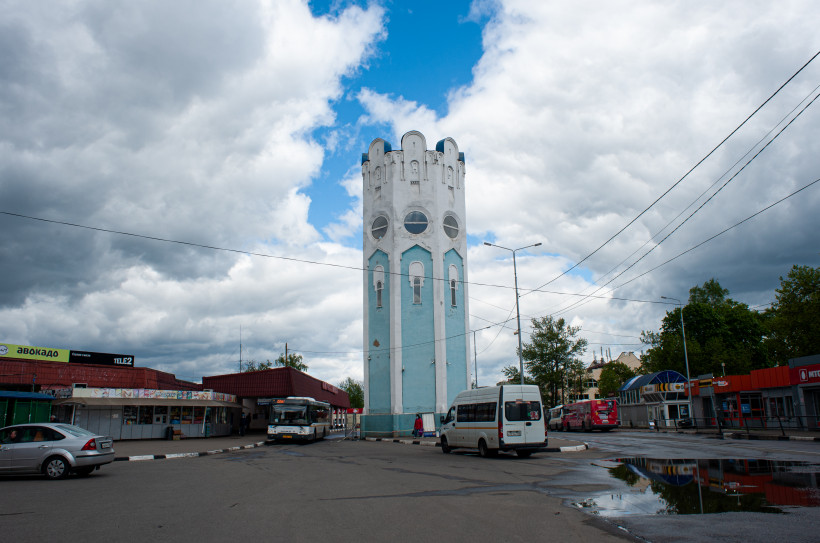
(719, 331)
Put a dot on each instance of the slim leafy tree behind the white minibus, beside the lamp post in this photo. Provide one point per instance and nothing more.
(552, 357)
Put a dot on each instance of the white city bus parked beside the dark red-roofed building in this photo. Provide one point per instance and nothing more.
(298, 419)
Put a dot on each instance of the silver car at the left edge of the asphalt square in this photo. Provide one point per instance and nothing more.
(53, 449)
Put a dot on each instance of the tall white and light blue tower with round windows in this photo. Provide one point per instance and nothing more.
(416, 344)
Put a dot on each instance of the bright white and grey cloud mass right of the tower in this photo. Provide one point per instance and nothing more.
(576, 120)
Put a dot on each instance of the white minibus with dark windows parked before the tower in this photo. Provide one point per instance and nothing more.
(492, 419)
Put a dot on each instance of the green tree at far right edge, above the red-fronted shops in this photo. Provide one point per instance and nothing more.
(794, 319)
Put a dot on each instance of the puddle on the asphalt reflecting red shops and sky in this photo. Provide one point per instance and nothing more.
(687, 487)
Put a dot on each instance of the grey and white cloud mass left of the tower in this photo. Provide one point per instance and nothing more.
(191, 122)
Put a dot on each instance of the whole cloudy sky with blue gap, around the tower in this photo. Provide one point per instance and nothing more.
(179, 179)
